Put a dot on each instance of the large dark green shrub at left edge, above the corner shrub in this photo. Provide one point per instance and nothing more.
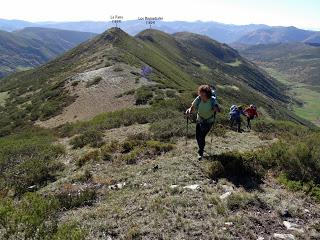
(27, 159)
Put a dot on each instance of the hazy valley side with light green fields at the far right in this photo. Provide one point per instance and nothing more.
(298, 66)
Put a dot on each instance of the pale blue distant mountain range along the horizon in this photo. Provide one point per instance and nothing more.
(226, 33)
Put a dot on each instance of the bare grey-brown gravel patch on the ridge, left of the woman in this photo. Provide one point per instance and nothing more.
(102, 96)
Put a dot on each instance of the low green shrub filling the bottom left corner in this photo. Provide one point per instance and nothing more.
(35, 217)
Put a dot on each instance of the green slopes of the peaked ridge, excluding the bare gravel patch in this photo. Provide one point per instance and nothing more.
(168, 56)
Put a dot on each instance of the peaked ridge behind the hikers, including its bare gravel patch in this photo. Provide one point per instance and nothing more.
(118, 54)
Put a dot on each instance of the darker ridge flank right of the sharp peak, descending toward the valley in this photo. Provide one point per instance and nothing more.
(208, 61)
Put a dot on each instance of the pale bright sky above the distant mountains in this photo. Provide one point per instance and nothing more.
(304, 14)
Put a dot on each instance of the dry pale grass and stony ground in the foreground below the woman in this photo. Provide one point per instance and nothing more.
(147, 207)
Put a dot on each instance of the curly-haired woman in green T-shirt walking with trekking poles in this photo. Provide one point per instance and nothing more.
(205, 105)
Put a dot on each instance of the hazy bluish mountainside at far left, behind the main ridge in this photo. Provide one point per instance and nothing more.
(32, 46)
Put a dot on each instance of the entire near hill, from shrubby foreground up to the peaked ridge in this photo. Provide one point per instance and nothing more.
(128, 172)
